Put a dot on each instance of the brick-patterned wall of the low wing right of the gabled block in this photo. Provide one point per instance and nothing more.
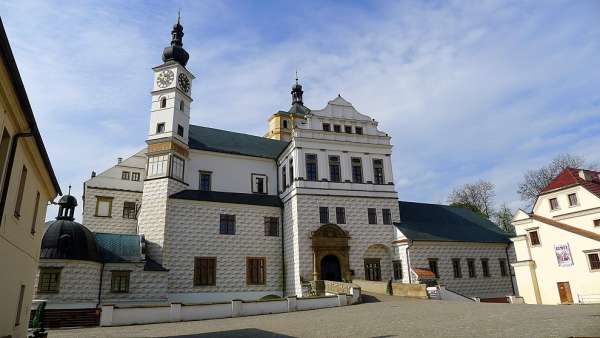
(483, 287)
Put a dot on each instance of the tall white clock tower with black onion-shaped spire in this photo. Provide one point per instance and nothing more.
(167, 141)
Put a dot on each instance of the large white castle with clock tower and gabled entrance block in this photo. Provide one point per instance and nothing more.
(208, 215)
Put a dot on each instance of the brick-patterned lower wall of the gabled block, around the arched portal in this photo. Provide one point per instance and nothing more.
(363, 235)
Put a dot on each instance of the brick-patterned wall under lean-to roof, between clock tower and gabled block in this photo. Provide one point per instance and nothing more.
(193, 231)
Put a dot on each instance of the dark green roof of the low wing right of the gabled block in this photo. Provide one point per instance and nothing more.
(435, 222)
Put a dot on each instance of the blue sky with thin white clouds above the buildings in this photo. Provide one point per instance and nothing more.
(467, 90)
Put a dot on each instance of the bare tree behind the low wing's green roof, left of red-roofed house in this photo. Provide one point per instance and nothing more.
(478, 197)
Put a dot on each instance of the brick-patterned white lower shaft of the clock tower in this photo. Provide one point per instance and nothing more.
(153, 213)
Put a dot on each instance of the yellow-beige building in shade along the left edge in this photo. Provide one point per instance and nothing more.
(28, 184)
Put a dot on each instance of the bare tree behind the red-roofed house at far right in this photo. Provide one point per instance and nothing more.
(535, 180)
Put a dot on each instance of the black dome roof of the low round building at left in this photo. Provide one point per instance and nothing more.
(67, 239)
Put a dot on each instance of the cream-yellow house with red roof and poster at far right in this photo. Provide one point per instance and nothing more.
(558, 243)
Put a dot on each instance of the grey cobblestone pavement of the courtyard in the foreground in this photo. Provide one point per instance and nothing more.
(391, 317)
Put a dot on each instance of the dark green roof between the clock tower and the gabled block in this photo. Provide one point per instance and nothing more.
(223, 141)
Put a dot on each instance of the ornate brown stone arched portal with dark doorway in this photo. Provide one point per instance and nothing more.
(330, 253)
